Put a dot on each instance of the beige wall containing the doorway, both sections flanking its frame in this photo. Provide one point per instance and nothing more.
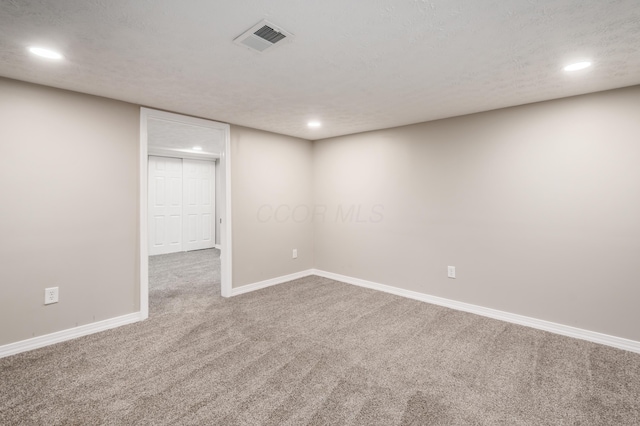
(69, 208)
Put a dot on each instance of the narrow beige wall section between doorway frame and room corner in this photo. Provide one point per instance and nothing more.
(270, 173)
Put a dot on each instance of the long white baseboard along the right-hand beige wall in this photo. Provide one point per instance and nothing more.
(565, 330)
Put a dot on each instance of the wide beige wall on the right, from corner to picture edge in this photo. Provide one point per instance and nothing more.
(538, 207)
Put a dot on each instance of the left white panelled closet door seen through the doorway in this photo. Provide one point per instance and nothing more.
(165, 205)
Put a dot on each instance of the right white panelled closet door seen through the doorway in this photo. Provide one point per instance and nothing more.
(198, 205)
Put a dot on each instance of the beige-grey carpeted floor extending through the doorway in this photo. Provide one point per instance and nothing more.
(313, 352)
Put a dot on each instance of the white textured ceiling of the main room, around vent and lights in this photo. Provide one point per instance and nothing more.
(355, 65)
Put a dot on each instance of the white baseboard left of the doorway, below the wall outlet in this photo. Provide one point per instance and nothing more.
(71, 333)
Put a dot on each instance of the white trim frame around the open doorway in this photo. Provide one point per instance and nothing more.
(225, 200)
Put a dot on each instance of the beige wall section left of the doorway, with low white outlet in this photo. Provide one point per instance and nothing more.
(68, 209)
